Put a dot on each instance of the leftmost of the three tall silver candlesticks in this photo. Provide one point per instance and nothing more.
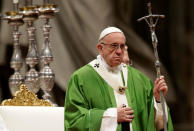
(15, 20)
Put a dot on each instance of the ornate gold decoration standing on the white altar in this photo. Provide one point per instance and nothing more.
(23, 97)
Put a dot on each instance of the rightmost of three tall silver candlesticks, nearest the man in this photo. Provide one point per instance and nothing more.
(47, 76)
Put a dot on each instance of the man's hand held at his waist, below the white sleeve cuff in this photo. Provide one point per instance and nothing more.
(124, 114)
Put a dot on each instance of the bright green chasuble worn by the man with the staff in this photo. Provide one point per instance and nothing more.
(88, 96)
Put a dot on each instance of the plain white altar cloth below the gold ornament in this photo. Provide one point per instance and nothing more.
(33, 118)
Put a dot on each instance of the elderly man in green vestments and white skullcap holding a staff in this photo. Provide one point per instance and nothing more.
(108, 95)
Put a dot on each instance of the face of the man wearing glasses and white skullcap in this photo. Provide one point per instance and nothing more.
(111, 48)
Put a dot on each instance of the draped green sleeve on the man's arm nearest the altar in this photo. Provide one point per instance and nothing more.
(78, 113)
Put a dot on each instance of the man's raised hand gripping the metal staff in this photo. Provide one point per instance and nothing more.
(160, 85)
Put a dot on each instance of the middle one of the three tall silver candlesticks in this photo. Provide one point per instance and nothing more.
(30, 14)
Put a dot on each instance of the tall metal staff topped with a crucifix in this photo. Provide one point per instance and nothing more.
(152, 25)
